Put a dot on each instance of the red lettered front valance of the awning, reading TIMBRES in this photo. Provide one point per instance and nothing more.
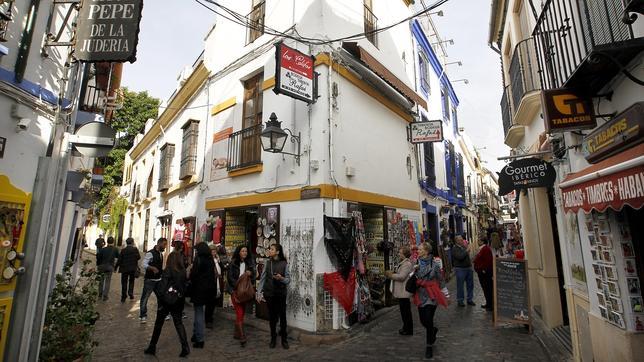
(614, 191)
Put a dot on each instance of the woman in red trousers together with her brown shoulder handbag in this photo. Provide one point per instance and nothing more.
(241, 277)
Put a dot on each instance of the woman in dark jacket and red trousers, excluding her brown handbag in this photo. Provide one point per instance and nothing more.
(241, 264)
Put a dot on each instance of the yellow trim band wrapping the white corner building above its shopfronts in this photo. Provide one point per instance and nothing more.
(326, 191)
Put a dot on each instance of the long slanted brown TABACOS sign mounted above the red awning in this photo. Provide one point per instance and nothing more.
(623, 131)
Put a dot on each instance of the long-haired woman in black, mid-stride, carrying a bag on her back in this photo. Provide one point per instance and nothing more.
(171, 290)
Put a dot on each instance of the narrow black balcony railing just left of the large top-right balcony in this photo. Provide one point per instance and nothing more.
(524, 74)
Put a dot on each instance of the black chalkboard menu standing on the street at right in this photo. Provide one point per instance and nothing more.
(511, 298)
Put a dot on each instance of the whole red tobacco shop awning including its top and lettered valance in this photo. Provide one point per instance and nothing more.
(614, 182)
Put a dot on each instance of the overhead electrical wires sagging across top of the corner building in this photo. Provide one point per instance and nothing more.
(243, 20)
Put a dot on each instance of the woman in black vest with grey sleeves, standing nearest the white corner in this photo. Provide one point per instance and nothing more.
(272, 285)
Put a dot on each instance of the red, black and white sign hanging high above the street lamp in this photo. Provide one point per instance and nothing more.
(294, 75)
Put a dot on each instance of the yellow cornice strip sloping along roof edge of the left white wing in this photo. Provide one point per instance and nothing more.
(192, 85)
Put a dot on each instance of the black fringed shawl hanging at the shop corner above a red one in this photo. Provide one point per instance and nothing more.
(339, 242)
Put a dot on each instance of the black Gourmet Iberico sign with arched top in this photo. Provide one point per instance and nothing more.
(524, 174)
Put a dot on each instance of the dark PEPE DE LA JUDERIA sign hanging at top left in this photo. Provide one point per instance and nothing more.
(108, 30)
